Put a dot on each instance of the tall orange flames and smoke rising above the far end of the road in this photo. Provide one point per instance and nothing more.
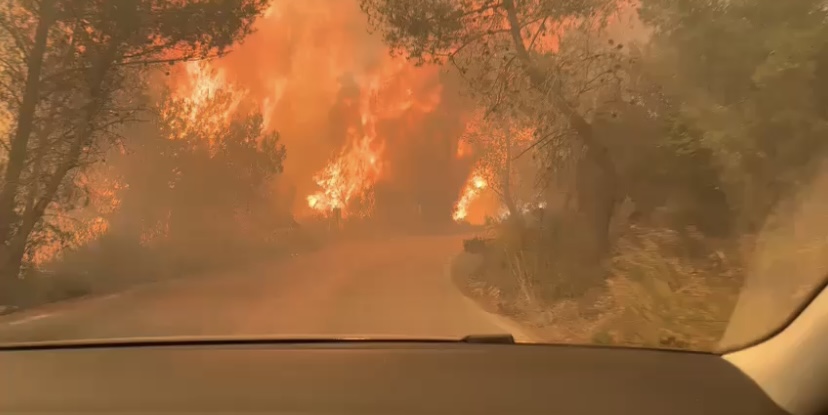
(368, 134)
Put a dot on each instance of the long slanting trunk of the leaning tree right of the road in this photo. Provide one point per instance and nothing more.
(597, 180)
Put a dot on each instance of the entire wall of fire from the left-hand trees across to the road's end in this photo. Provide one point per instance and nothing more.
(370, 135)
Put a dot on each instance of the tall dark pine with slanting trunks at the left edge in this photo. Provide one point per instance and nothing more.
(68, 95)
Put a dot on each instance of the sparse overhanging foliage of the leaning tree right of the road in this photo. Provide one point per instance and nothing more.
(478, 41)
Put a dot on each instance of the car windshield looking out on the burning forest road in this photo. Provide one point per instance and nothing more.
(644, 173)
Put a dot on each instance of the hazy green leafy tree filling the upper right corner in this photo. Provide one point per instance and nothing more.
(747, 81)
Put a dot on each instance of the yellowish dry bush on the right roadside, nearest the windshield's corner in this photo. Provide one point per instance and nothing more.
(671, 288)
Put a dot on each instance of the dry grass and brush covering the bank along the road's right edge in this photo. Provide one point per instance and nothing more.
(665, 289)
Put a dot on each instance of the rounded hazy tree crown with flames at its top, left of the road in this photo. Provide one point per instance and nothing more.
(209, 185)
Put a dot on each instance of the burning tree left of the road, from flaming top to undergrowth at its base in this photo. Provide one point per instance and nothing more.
(199, 191)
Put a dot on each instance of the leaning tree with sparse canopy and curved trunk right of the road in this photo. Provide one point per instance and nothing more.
(510, 52)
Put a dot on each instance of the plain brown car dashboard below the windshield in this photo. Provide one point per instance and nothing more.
(376, 378)
